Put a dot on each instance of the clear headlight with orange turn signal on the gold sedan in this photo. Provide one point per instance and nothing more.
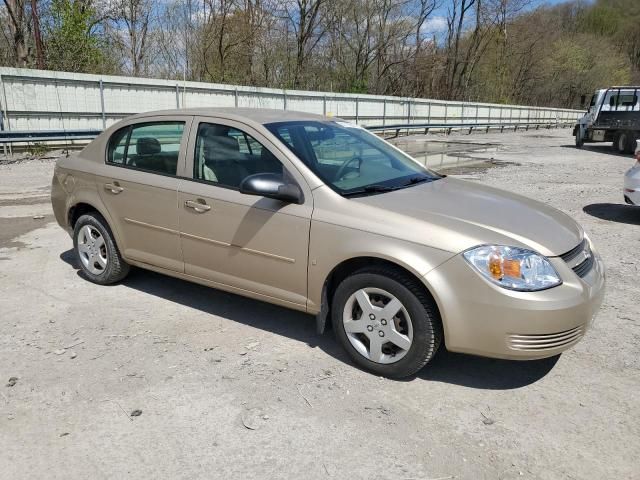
(513, 268)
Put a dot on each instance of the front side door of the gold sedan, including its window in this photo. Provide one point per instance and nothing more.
(248, 244)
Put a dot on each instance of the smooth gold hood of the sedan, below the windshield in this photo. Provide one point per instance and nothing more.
(455, 215)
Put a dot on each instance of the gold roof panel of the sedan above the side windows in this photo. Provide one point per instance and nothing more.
(259, 115)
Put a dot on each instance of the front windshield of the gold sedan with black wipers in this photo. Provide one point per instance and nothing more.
(350, 159)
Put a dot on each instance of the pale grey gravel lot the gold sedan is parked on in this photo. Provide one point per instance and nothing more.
(234, 388)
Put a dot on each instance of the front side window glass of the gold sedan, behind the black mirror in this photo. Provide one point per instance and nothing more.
(225, 156)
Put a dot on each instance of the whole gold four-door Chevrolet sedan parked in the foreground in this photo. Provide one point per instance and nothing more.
(319, 215)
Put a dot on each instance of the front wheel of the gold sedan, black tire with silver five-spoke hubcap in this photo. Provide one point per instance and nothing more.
(418, 320)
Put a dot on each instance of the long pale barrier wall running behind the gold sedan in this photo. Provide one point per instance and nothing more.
(44, 100)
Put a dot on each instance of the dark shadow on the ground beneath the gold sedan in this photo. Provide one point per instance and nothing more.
(447, 367)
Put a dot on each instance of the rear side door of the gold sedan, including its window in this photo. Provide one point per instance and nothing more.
(138, 185)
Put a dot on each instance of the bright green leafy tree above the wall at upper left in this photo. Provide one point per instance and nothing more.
(72, 43)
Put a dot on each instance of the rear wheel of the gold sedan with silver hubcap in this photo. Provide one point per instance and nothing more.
(96, 251)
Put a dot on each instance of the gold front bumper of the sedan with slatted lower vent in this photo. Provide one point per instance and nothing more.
(484, 319)
